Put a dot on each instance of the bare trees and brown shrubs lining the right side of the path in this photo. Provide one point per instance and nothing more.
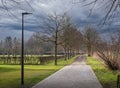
(107, 48)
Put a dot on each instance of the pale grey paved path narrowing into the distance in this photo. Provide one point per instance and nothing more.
(76, 75)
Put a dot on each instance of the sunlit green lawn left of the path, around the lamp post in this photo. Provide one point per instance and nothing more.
(10, 74)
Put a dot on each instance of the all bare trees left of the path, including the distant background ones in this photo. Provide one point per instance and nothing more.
(58, 36)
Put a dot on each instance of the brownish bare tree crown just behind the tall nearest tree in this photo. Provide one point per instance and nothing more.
(72, 39)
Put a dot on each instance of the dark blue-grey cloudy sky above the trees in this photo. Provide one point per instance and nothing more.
(10, 15)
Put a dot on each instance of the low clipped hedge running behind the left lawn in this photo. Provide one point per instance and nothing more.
(27, 59)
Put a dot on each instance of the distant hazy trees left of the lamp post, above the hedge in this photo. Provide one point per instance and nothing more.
(10, 46)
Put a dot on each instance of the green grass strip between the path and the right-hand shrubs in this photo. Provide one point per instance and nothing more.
(106, 77)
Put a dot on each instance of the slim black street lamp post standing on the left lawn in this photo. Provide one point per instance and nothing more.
(22, 51)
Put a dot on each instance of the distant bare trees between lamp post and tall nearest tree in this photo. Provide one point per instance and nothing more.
(37, 44)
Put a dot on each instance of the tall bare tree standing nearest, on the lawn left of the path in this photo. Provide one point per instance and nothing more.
(53, 27)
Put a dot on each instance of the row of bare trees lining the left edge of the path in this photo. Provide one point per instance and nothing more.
(62, 33)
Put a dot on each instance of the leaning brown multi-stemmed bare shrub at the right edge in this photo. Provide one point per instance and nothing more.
(109, 51)
